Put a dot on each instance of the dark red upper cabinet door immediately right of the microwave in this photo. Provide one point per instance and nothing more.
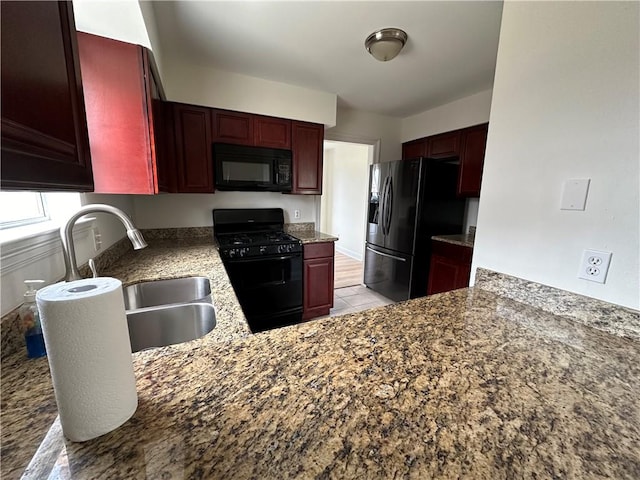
(306, 145)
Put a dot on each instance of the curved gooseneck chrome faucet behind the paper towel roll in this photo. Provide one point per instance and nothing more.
(66, 234)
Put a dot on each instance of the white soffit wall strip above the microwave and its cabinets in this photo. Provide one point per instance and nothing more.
(214, 88)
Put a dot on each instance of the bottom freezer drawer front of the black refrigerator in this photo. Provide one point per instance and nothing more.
(387, 272)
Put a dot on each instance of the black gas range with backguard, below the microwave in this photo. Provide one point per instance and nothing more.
(264, 265)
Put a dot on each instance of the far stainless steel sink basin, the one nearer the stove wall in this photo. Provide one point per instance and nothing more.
(166, 292)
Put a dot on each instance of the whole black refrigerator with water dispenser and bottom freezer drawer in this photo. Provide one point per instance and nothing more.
(409, 202)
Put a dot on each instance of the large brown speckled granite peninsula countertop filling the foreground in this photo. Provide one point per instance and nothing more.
(465, 384)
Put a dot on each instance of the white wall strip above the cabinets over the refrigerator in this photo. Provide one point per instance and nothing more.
(462, 113)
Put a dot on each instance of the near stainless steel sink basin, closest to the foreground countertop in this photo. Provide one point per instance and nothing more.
(157, 327)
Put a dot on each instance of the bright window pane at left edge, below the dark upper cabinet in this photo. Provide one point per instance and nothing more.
(22, 208)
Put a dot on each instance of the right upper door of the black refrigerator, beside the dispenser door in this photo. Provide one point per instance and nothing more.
(401, 205)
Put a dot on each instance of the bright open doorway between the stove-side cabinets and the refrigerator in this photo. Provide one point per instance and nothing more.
(343, 206)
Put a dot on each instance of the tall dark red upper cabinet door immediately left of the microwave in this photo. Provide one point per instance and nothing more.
(193, 148)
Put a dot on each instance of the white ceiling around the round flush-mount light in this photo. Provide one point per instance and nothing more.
(450, 54)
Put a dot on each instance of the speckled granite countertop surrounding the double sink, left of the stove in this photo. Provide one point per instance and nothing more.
(28, 411)
